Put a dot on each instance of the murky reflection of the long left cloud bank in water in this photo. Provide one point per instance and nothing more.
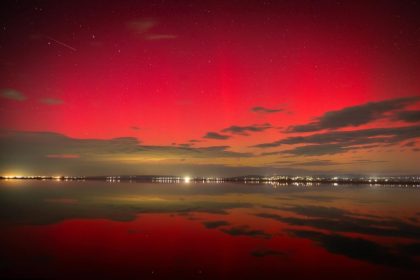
(11, 212)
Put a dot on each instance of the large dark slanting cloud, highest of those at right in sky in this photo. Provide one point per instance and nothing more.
(355, 115)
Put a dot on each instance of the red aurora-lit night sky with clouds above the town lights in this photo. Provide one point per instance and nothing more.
(209, 87)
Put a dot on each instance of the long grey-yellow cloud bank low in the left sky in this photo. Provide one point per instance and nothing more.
(39, 148)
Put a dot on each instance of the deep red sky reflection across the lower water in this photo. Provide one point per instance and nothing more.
(168, 246)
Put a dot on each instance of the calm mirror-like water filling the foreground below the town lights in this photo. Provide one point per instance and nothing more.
(88, 230)
